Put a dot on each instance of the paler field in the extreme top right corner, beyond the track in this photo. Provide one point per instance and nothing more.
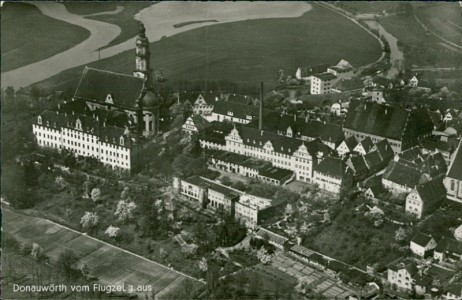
(443, 18)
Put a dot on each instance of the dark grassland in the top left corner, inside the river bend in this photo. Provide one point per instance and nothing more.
(29, 36)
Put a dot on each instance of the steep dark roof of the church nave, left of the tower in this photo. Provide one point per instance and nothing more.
(95, 85)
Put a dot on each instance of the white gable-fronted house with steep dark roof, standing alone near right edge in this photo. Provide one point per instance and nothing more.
(425, 198)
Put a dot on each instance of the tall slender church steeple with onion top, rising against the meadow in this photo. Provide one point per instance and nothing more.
(142, 56)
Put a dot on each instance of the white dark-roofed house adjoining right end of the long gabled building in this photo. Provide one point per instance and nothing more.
(332, 174)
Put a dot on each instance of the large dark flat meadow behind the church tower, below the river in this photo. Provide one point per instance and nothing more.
(247, 51)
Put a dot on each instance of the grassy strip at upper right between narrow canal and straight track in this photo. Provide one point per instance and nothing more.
(420, 48)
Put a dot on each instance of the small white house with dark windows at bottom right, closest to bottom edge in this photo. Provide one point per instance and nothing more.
(400, 275)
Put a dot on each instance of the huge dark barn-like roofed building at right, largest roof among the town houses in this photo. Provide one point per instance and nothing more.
(401, 127)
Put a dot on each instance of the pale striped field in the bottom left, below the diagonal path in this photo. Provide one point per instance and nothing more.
(109, 264)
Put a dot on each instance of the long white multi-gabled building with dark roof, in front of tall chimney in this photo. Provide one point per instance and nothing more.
(283, 152)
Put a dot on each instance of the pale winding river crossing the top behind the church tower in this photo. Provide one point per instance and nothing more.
(159, 20)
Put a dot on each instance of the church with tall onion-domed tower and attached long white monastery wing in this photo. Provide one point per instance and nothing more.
(109, 116)
